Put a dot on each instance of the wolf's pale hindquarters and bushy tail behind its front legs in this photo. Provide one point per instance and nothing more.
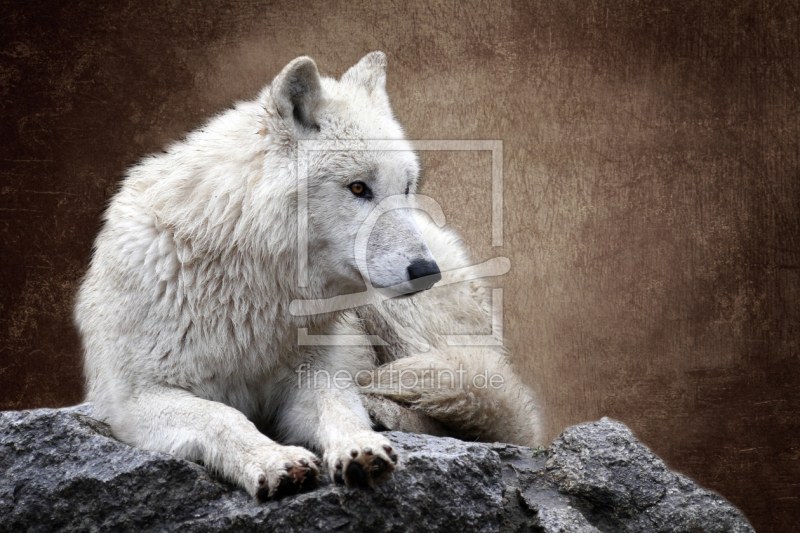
(421, 380)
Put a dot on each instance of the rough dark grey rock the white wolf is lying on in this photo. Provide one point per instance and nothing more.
(62, 471)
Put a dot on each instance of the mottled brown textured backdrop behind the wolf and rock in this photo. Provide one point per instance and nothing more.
(652, 206)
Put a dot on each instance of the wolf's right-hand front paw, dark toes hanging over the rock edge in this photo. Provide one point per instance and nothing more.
(364, 460)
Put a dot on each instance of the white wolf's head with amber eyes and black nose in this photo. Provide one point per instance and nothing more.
(352, 159)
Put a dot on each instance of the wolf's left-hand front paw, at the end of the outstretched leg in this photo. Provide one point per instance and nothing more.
(277, 471)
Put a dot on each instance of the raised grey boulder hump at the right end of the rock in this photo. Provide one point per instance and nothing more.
(620, 485)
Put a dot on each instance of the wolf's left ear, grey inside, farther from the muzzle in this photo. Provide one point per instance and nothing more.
(296, 91)
